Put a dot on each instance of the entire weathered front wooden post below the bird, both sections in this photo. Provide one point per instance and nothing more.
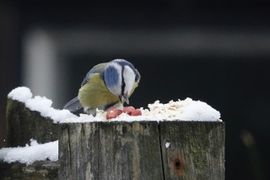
(142, 150)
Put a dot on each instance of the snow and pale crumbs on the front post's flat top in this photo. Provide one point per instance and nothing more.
(180, 110)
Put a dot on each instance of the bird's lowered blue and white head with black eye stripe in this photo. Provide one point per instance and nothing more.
(121, 78)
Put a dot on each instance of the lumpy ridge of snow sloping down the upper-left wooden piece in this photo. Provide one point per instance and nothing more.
(40, 104)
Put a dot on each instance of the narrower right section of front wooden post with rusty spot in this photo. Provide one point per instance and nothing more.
(193, 150)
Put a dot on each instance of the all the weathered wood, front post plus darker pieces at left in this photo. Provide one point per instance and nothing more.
(144, 150)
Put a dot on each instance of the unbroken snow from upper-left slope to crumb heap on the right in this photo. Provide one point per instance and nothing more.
(180, 110)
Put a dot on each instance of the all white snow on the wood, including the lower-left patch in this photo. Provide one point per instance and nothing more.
(180, 110)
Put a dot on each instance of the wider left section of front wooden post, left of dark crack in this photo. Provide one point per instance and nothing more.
(105, 150)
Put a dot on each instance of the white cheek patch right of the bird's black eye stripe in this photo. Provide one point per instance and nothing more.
(129, 78)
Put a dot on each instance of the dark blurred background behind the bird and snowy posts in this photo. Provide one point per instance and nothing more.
(214, 51)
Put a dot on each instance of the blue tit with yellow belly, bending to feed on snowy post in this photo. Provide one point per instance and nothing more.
(106, 85)
